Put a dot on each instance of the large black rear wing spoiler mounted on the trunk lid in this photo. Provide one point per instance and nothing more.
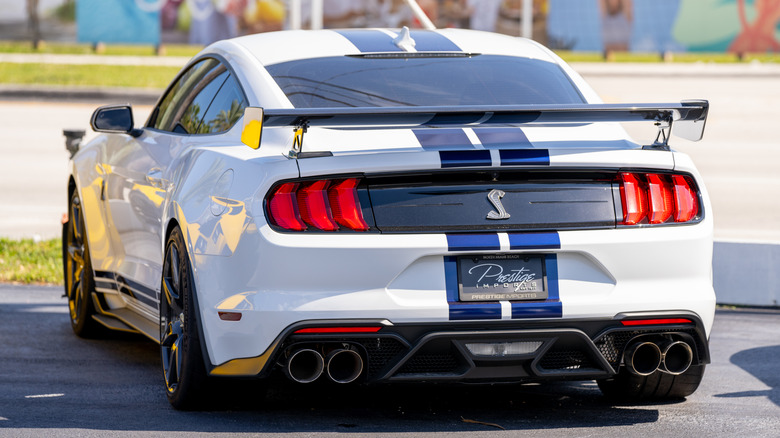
(685, 119)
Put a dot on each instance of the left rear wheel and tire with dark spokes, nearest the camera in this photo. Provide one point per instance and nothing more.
(184, 372)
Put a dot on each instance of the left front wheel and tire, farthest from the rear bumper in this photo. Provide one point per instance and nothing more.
(78, 276)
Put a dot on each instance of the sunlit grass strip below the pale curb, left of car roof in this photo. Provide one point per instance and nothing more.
(86, 75)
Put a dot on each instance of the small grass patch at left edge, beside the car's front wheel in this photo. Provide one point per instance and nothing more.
(29, 262)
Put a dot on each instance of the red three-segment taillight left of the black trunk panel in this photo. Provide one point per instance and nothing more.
(322, 204)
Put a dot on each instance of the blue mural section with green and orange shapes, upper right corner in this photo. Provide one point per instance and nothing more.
(738, 26)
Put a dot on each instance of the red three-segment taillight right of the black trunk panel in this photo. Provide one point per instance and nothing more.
(658, 197)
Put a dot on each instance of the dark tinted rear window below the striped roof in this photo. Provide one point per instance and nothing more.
(423, 81)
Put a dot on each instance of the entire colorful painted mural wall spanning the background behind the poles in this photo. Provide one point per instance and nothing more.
(739, 26)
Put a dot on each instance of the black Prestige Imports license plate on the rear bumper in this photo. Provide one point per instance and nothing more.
(509, 277)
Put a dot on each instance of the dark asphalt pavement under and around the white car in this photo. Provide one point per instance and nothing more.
(53, 383)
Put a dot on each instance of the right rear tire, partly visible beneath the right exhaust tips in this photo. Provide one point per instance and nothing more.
(657, 386)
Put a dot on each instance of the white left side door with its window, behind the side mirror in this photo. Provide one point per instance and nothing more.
(137, 169)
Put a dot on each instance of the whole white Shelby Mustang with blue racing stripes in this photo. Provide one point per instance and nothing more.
(384, 206)
